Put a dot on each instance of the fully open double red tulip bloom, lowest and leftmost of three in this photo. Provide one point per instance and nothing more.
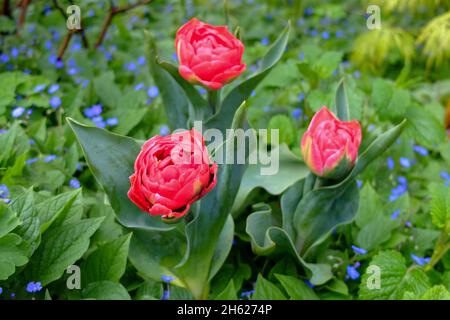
(171, 173)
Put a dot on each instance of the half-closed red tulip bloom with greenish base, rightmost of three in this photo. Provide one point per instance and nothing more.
(330, 146)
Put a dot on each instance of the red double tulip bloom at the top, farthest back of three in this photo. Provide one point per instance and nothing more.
(208, 55)
